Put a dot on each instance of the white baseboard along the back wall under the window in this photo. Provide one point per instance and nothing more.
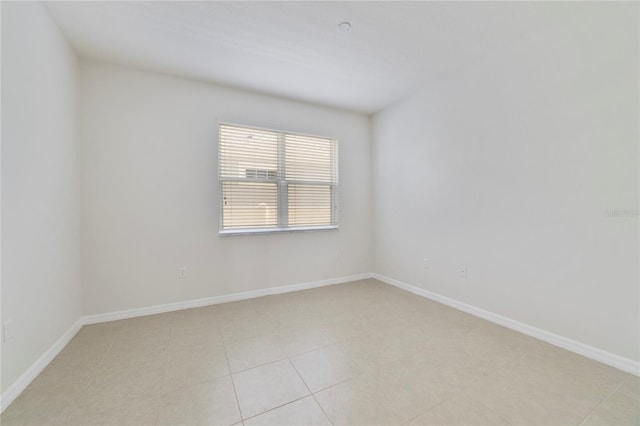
(206, 301)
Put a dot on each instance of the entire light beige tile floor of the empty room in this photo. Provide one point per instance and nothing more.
(358, 353)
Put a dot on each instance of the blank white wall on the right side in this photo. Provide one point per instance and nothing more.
(508, 166)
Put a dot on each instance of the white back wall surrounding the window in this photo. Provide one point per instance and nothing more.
(150, 193)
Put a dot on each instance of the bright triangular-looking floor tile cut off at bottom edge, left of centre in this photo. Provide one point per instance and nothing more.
(304, 411)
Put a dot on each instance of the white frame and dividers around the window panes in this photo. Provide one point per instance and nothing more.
(282, 184)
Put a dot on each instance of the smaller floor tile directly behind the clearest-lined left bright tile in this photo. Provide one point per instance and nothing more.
(249, 353)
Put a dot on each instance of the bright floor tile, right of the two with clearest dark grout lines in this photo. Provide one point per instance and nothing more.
(325, 367)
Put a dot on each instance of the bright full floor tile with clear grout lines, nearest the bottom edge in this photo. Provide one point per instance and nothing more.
(269, 386)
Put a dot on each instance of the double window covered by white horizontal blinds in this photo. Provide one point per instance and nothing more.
(276, 181)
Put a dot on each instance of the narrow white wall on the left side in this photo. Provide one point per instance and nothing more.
(40, 186)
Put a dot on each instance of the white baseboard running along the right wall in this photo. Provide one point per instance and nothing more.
(617, 361)
